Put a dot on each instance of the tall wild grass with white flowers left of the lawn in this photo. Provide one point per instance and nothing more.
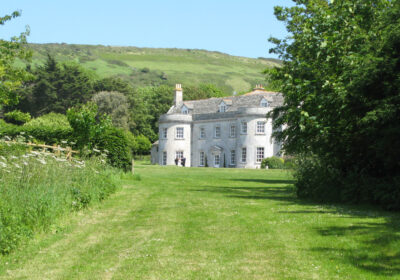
(36, 188)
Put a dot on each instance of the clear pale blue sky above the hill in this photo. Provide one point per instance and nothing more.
(236, 27)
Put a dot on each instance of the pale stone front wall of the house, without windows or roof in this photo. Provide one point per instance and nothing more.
(192, 144)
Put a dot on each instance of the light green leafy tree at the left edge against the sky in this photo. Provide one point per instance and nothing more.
(12, 77)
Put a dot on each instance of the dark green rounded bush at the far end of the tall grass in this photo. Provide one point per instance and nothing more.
(115, 142)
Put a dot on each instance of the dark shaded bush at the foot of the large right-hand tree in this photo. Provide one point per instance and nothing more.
(322, 182)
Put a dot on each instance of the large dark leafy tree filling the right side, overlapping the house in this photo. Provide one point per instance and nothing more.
(341, 84)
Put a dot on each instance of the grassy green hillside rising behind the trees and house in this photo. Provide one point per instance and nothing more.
(152, 66)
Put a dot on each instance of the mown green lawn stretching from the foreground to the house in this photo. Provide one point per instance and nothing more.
(200, 223)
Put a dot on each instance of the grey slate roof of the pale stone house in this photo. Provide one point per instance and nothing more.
(210, 106)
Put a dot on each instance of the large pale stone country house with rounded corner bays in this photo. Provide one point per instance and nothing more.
(218, 132)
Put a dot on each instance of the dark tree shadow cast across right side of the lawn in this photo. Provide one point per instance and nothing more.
(368, 246)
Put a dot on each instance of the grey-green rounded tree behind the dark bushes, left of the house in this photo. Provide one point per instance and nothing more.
(114, 104)
